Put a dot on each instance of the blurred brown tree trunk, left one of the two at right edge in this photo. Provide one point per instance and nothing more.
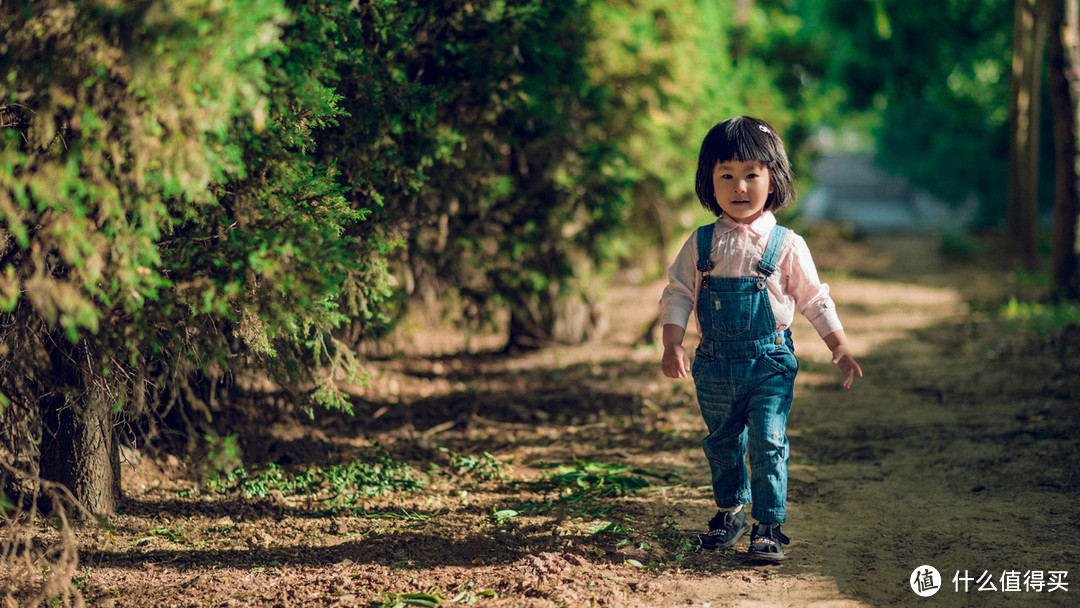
(1029, 42)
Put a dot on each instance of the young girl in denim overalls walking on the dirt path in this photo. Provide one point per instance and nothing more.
(745, 276)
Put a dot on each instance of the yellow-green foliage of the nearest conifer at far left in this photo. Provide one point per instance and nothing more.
(159, 198)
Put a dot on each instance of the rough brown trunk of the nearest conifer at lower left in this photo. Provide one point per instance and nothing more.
(79, 447)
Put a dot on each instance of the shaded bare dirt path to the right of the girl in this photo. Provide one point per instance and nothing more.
(958, 452)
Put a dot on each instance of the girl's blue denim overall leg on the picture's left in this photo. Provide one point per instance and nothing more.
(726, 444)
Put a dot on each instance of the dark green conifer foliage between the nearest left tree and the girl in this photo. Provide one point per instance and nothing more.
(484, 141)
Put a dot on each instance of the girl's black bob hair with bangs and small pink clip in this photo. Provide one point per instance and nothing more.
(745, 139)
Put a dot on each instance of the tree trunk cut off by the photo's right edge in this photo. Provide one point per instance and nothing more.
(1064, 20)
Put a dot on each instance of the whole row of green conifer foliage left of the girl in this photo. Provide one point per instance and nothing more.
(190, 186)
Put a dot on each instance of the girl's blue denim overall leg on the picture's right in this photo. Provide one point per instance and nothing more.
(767, 421)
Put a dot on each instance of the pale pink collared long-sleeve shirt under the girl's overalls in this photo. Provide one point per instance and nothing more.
(737, 250)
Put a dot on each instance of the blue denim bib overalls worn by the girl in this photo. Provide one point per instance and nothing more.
(745, 373)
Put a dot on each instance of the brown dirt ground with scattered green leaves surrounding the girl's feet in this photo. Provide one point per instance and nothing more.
(958, 451)
